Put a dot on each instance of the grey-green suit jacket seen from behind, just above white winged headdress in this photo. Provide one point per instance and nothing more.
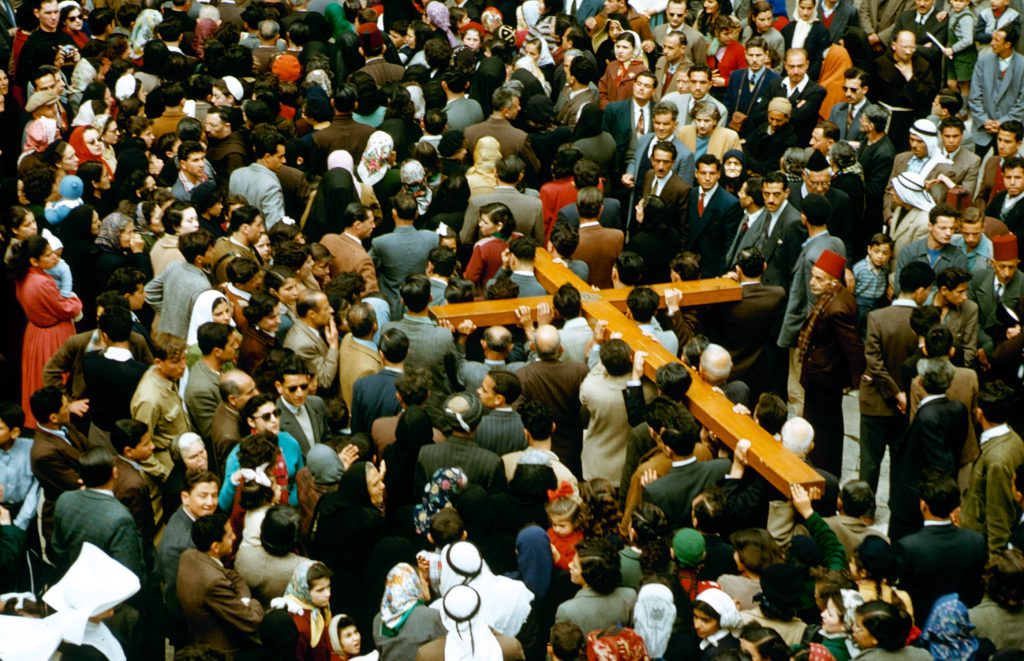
(92, 516)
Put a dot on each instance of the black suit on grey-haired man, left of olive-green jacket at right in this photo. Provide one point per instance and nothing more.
(933, 442)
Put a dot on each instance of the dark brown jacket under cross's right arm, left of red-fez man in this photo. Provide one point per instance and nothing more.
(747, 329)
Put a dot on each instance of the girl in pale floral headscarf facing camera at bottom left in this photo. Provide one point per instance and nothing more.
(308, 599)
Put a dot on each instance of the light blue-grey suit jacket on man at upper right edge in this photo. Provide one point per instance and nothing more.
(994, 97)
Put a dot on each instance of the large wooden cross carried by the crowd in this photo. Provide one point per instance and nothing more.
(766, 456)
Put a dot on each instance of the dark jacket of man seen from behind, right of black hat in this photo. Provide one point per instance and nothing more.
(940, 560)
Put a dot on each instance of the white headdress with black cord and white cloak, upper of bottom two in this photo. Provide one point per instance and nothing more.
(505, 603)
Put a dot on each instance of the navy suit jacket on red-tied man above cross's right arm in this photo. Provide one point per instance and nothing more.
(711, 234)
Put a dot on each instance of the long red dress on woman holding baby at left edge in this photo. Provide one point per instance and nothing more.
(50, 325)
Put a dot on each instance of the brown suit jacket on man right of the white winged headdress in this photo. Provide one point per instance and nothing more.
(211, 601)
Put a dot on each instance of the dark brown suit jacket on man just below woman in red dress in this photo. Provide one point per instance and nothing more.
(55, 463)
